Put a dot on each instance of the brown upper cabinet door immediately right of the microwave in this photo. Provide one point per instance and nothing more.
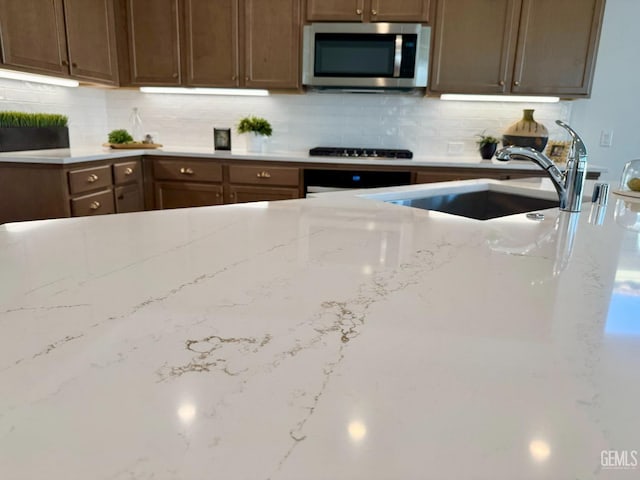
(474, 45)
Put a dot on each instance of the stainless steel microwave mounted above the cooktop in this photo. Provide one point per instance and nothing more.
(366, 55)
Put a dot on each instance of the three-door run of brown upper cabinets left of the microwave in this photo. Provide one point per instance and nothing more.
(215, 43)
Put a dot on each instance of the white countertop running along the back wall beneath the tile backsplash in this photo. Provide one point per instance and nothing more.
(86, 154)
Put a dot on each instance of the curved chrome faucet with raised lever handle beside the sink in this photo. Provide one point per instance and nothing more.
(570, 183)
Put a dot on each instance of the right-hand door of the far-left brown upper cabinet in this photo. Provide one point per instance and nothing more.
(91, 40)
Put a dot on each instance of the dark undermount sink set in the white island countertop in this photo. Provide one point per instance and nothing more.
(481, 205)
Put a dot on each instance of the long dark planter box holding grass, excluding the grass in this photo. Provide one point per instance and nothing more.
(33, 138)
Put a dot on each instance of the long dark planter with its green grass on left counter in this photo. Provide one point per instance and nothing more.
(32, 131)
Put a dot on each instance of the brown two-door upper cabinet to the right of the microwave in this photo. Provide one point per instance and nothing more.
(539, 47)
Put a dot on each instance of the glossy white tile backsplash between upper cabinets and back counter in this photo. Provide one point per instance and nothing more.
(300, 121)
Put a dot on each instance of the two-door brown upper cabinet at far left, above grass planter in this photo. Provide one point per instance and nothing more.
(73, 38)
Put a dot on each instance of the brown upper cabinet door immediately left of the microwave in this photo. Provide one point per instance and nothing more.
(272, 43)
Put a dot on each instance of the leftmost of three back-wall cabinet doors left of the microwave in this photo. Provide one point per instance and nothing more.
(154, 45)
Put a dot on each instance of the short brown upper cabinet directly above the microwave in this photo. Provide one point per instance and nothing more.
(368, 10)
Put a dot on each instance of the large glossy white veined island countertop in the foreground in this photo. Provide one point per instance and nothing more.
(335, 337)
